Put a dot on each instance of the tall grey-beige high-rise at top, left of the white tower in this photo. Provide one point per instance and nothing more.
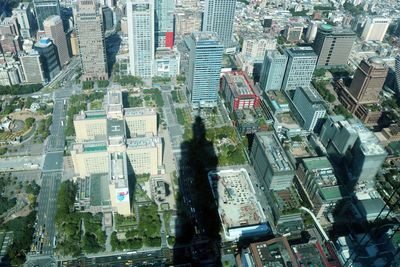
(92, 49)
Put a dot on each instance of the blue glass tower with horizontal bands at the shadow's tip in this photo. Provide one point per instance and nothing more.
(205, 55)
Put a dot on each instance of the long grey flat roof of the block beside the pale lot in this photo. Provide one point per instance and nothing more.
(274, 152)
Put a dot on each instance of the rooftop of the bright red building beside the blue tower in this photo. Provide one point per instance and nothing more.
(239, 83)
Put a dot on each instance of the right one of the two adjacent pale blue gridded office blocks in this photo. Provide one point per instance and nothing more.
(300, 67)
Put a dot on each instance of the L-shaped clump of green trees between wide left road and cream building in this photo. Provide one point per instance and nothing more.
(78, 232)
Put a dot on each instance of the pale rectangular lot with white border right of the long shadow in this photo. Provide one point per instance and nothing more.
(240, 213)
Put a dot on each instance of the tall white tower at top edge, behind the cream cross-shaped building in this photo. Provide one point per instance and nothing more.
(140, 15)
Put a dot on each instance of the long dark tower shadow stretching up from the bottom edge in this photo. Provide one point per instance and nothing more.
(197, 224)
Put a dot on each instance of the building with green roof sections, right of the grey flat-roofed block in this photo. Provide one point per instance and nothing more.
(318, 185)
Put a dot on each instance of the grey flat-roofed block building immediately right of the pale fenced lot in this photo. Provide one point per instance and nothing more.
(270, 162)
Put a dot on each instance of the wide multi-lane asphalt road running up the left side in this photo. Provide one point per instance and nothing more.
(44, 238)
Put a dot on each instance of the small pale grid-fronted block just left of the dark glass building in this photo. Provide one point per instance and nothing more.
(32, 68)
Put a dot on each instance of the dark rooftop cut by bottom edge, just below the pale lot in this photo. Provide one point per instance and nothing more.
(274, 252)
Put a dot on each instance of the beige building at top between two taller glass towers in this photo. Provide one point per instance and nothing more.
(187, 21)
